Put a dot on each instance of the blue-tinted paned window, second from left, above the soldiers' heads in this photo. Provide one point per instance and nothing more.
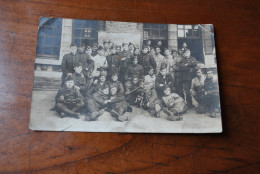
(85, 31)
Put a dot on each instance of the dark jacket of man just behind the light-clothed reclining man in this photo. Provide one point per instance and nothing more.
(160, 83)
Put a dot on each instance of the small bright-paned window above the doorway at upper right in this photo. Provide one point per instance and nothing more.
(188, 31)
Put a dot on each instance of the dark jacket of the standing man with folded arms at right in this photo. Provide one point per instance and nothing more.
(187, 67)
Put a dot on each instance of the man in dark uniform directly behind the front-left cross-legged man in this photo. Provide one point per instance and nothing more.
(79, 78)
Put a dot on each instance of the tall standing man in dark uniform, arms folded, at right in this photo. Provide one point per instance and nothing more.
(187, 67)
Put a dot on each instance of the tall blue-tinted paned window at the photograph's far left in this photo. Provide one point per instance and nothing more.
(49, 38)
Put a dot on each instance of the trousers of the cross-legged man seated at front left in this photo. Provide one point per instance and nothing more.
(69, 109)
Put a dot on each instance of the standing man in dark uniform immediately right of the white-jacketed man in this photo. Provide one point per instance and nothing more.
(113, 61)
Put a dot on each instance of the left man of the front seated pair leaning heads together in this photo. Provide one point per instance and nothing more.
(96, 106)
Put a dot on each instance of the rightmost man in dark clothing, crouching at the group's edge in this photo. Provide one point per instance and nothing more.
(211, 95)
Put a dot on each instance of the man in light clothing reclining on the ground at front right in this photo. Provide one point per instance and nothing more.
(172, 104)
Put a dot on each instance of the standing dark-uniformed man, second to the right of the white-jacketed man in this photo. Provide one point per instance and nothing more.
(125, 56)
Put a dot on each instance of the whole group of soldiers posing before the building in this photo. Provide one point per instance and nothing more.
(112, 78)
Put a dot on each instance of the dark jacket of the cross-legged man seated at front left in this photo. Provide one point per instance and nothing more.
(70, 95)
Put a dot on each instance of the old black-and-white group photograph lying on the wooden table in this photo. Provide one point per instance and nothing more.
(110, 76)
